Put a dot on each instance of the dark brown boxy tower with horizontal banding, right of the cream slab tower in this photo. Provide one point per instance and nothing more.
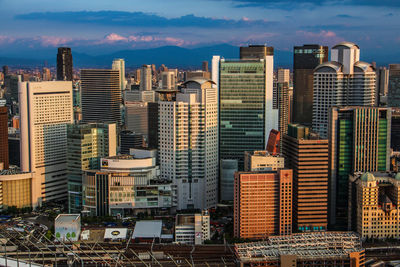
(100, 95)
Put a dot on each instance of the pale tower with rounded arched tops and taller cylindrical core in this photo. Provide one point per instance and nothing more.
(343, 81)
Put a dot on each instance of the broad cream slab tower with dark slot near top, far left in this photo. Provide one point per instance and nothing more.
(45, 110)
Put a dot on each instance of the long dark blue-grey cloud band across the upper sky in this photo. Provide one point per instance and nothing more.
(140, 19)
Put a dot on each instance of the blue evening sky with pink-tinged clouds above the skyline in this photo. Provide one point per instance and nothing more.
(103, 25)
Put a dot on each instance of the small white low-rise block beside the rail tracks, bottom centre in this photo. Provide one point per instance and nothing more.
(192, 229)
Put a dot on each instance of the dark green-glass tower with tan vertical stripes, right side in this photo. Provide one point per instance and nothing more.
(359, 141)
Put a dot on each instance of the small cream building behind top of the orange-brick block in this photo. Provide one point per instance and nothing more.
(262, 161)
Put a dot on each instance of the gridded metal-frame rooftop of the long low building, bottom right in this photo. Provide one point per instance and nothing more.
(306, 246)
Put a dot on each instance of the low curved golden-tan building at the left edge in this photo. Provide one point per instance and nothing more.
(15, 189)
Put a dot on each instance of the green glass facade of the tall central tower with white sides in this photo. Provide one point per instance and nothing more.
(241, 108)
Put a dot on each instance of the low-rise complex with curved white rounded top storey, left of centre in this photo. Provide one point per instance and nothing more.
(126, 184)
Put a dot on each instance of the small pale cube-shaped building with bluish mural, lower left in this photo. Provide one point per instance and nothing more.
(67, 227)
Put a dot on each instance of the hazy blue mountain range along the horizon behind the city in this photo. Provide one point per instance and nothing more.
(171, 56)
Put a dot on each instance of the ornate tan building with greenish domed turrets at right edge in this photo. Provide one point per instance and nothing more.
(374, 209)
